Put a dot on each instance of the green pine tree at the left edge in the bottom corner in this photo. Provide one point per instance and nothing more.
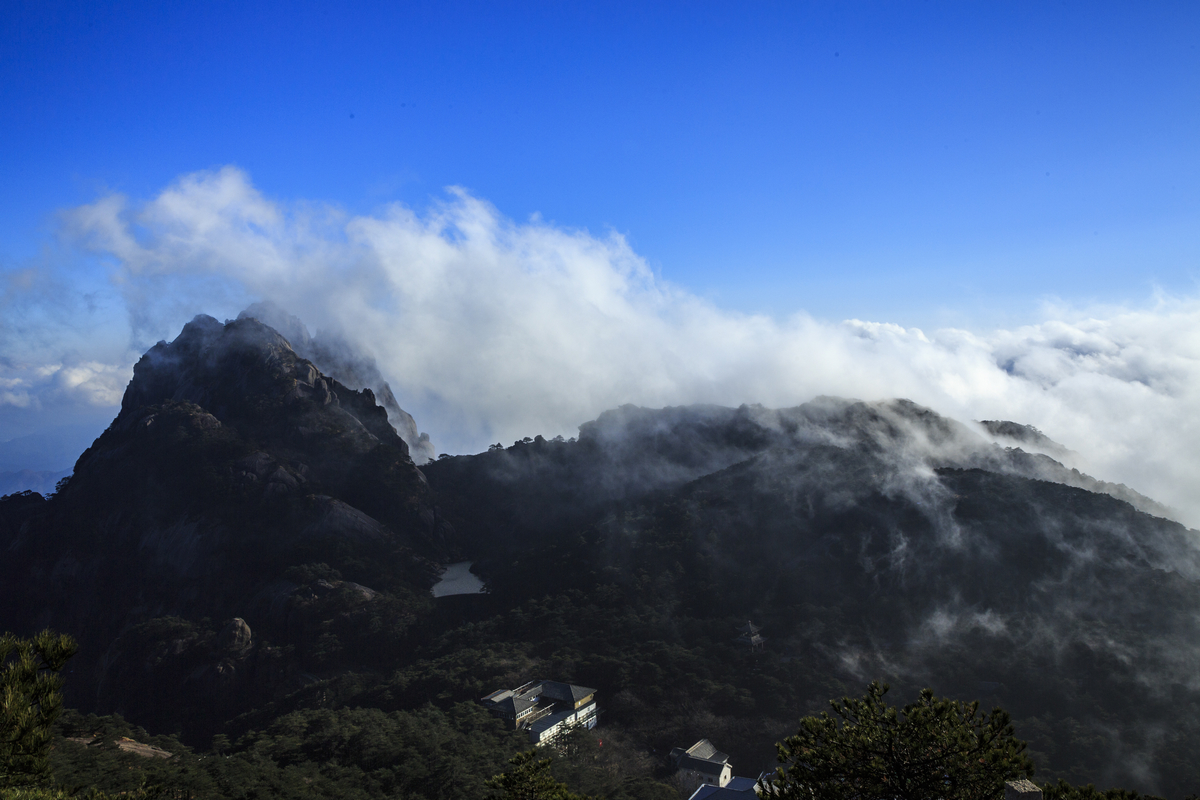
(31, 701)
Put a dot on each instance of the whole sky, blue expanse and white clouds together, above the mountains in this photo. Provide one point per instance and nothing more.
(991, 208)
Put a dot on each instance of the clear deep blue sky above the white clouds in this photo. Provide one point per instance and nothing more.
(920, 163)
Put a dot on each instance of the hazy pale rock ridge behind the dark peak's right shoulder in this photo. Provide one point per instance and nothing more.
(339, 359)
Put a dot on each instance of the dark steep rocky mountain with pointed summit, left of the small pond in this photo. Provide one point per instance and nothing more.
(239, 484)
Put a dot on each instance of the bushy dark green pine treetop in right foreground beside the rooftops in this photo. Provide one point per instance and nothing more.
(934, 749)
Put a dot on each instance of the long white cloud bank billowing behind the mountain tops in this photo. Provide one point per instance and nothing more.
(491, 330)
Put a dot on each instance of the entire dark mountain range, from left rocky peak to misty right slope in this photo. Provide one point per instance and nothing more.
(251, 540)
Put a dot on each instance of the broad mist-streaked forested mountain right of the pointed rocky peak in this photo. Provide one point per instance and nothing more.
(869, 540)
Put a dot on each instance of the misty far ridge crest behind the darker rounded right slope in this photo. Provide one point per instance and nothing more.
(631, 452)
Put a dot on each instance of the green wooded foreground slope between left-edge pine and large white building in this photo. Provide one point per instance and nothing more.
(352, 754)
